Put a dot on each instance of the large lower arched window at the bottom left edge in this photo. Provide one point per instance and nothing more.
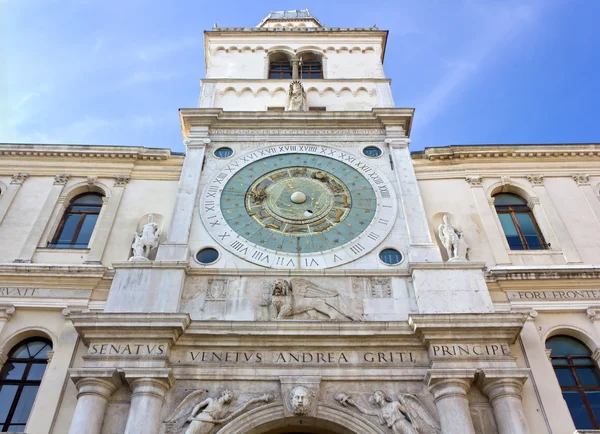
(20, 379)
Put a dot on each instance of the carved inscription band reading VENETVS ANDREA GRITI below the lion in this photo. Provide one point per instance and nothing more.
(347, 357)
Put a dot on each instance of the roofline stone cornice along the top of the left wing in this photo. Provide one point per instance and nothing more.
(79, 151)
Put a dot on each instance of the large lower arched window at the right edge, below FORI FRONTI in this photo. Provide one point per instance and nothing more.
(579, 381)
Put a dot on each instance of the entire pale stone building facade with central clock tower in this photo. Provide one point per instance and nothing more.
(148, 336)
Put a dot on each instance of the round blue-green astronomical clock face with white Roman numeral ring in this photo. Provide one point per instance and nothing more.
(300, 207)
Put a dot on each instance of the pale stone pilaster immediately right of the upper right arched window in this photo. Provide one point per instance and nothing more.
(557, 227)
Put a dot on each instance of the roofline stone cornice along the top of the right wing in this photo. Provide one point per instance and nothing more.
(504, 151)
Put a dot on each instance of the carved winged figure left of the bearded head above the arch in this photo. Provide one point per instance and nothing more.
(209, 412)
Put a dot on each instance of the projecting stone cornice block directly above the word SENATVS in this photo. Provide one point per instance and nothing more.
(130, 326)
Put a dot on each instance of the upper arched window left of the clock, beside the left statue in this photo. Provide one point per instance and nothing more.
(77, 224)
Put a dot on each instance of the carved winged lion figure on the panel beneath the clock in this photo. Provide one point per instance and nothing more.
(308, 298)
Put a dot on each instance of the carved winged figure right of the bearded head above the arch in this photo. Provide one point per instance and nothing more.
(405, 415)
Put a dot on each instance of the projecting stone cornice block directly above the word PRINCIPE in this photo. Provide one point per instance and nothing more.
(474, 327)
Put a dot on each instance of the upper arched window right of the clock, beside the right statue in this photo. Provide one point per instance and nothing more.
(518, 223)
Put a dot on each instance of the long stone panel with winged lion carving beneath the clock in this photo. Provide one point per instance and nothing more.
(259, 299)
